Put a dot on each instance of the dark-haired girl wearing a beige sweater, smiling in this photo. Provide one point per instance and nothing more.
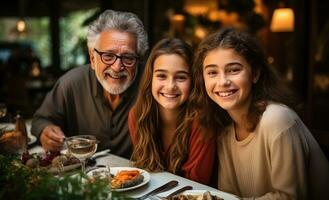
(265, 151)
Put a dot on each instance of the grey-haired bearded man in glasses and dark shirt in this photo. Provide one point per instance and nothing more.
(96, 99)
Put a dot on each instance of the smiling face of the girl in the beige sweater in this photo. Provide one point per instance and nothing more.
(228, 80)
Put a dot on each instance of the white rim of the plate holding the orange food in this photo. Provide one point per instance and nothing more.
(115, 170)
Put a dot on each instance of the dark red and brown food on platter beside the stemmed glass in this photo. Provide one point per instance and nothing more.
(48, 159)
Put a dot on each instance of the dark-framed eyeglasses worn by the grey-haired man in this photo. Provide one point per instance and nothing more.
(109, 58)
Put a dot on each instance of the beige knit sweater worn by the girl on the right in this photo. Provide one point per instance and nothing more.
(279, 160)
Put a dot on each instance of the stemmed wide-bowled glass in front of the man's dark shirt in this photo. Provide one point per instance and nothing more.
(82, 147)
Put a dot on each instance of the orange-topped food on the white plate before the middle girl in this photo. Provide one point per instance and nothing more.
(127, 178)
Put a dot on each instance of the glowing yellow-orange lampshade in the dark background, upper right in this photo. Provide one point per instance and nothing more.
(282, 20)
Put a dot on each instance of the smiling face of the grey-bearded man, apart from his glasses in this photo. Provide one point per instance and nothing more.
(114, 78)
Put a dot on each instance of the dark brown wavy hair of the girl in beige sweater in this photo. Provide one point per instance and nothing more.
(268, 87)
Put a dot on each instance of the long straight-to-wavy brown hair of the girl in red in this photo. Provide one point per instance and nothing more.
(147, 151)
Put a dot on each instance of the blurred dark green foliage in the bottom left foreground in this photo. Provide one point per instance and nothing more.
(20, 182)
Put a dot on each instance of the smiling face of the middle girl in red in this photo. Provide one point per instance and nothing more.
(171, 81)
